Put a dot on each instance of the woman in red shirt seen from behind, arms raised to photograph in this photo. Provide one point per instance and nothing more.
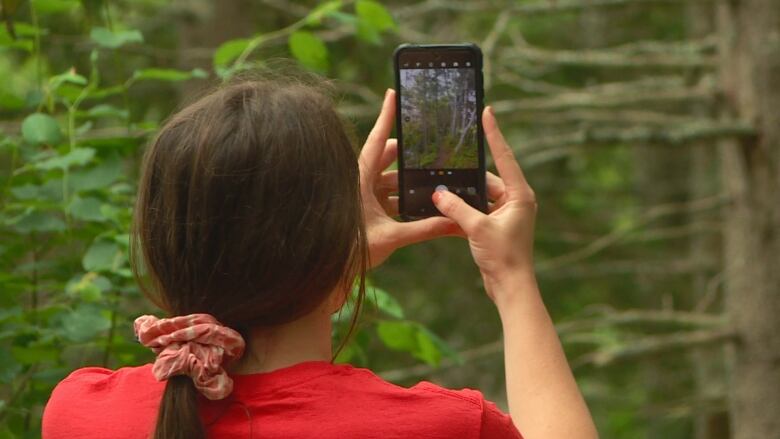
(253, 218)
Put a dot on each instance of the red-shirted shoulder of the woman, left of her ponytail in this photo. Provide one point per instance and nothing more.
(112, 399)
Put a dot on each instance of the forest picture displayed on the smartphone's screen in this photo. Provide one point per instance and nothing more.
(439, 111)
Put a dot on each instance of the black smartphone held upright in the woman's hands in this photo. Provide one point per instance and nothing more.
(439, 126)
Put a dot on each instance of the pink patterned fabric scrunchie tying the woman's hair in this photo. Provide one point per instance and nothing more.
(195, 345)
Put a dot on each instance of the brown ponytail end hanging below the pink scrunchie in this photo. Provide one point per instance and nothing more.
(178, 417)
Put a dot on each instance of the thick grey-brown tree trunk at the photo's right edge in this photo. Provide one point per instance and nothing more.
(750, 73)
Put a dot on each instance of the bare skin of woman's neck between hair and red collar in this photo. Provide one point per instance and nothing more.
(305, 339)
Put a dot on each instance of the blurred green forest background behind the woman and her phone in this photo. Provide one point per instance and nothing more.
(650, 130)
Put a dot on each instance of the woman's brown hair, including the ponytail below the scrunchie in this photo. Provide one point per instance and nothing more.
(248, 209)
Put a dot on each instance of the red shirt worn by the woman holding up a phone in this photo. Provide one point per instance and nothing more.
(310, 399)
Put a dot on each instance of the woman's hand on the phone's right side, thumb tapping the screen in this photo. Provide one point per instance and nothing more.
(502, 241)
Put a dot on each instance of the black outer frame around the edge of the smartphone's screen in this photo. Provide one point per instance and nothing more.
(481, 182)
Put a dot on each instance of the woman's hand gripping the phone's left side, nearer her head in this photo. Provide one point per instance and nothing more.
(386, 234)
